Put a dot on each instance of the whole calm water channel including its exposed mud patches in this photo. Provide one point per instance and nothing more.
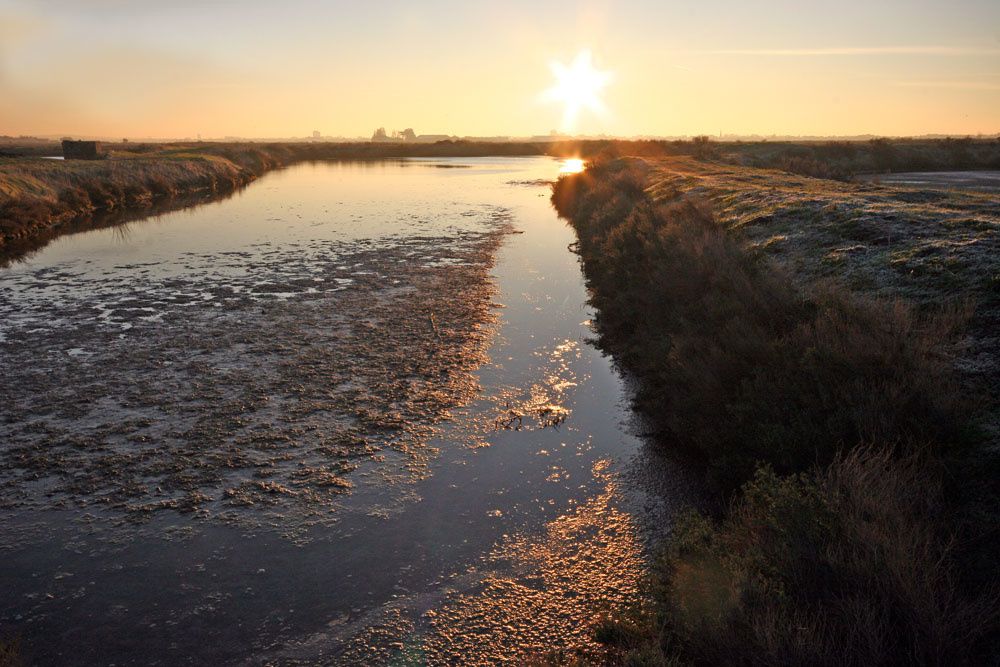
(350, 415)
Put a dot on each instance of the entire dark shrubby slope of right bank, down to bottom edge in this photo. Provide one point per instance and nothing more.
(831, 423)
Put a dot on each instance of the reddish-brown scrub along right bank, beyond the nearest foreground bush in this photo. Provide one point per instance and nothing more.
(736, 364)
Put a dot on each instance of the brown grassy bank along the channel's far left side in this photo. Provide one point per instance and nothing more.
(37, 195)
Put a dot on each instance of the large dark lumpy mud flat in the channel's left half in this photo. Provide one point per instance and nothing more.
(282, 380)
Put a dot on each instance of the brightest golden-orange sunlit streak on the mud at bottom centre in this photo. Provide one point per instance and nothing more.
(587, 562)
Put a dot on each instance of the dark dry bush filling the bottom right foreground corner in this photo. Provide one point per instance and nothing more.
(852, 565)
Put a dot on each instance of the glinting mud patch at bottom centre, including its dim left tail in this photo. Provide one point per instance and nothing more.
(529, 594)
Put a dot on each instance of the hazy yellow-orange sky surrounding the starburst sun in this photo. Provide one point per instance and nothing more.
(284, 68)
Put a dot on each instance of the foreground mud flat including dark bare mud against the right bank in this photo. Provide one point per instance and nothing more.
(535, 594)
